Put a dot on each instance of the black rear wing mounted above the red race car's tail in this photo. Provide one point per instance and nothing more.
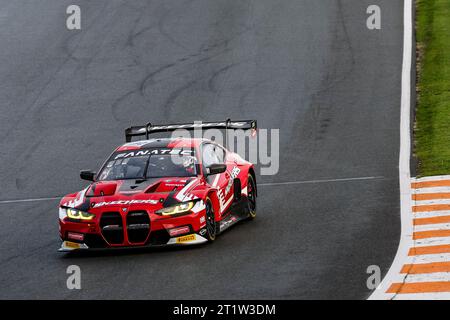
(149, 128)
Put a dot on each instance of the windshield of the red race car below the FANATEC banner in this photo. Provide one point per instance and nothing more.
(149, 166)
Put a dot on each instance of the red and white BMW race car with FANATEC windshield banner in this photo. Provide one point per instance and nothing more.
(164, 191)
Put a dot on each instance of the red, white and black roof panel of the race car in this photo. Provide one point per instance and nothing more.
(163, 143)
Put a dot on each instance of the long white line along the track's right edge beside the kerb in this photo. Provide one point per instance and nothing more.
(404, 159)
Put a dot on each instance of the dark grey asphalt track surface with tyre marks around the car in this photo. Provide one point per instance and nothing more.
(310, 68)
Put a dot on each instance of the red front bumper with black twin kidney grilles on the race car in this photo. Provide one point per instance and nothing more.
(121, 231)
